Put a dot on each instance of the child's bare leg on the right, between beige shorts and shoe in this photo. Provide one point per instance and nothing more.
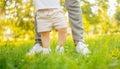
(62, 36)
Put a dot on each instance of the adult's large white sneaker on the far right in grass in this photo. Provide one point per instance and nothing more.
(82, 48)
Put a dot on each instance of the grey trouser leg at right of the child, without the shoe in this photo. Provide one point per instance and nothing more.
(75, 16)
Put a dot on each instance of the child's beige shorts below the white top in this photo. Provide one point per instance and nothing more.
(49, 18)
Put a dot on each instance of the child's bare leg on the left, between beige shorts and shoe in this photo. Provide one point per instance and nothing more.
(45, 39)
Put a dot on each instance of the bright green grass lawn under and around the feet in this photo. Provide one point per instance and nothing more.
(105, 55)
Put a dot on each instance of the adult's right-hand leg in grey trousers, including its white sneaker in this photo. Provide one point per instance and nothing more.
(75, 15)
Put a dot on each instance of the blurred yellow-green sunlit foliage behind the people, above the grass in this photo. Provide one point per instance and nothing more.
(17, 18)
